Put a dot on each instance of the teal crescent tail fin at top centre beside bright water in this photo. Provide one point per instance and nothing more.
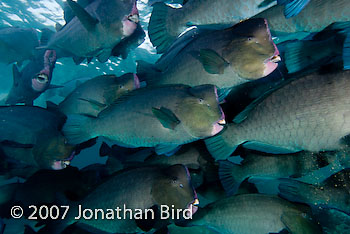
(157, 29)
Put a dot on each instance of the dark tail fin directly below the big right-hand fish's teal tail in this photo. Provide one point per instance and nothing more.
(229, 176)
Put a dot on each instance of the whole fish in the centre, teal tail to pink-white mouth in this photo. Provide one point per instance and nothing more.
(162, 117)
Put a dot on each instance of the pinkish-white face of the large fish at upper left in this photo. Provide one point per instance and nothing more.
(131, 20)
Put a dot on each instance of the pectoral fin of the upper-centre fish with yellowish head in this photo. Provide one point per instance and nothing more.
(212, 62)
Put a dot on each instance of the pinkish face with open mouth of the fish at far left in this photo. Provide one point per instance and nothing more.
(41, 81)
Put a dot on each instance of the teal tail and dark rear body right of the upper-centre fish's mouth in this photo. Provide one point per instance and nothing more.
(303, 54)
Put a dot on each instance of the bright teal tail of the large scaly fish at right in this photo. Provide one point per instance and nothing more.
(222, 145)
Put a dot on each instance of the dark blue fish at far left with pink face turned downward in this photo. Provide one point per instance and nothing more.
(34, 79)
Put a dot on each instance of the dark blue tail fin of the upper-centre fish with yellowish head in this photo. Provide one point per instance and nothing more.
(148, 72)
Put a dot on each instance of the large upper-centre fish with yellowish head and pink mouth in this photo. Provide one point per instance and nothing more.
(225, 58)
